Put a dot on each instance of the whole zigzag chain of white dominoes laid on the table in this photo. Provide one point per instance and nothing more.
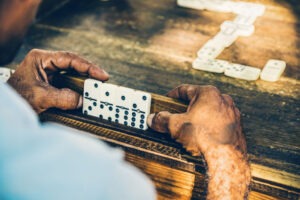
(242, 25)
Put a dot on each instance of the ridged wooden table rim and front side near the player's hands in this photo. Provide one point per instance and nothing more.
(161, 149)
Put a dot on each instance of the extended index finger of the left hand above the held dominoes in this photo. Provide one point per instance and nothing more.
(62, 60)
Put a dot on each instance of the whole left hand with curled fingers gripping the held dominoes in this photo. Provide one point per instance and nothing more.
(32, 79)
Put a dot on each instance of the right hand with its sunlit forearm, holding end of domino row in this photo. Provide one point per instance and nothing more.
(210, 126)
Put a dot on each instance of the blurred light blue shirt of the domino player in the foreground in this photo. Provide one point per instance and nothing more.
(54, 162)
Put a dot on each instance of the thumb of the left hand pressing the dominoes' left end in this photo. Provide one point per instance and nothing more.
(64, 99)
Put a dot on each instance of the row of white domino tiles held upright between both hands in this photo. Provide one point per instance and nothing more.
(117, 104)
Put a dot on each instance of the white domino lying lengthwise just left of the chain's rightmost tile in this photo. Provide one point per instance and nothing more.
(243, 72)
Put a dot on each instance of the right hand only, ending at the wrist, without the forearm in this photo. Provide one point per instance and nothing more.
(211, 120)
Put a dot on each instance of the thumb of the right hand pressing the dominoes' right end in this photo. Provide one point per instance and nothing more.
(166, 122)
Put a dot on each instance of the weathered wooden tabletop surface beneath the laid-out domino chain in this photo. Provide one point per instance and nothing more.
(149, 45)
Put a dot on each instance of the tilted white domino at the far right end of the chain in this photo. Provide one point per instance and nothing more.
(273, 70)
